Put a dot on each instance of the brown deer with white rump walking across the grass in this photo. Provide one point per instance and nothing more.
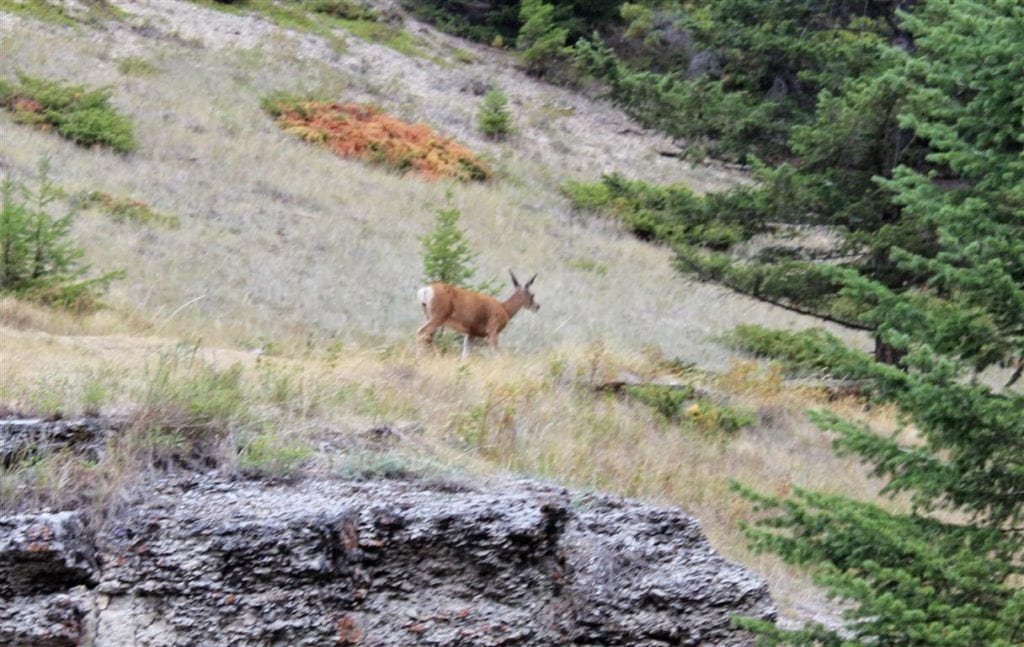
(471, 313)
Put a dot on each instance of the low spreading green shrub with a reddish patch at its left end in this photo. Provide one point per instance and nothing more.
(81, 115)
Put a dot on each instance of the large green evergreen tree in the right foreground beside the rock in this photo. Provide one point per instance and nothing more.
(949, 571)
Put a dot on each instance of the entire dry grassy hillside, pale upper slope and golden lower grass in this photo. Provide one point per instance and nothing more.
(314, 262)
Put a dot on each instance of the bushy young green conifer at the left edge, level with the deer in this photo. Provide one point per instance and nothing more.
(37, 261)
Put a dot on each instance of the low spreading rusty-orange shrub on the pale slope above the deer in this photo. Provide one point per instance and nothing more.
(367, 134)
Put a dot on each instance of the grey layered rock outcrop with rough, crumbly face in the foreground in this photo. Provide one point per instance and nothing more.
(217, 563)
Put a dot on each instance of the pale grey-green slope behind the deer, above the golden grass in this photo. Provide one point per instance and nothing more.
(282, 241)
